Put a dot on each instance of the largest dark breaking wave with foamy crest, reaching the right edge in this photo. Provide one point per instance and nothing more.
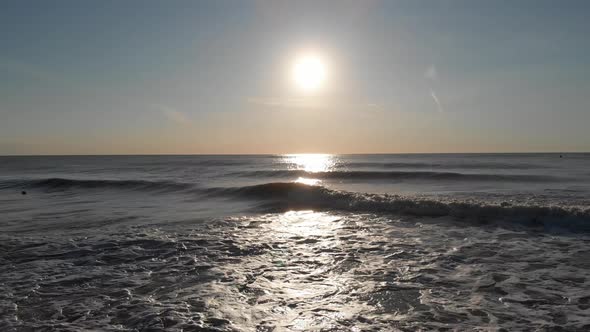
(285, 196)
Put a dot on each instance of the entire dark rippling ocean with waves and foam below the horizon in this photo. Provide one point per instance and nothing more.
(456, 242)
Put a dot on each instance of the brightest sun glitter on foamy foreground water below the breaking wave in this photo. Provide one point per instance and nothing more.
(300, 271)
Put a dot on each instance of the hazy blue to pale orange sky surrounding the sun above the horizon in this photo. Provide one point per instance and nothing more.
(215, 77)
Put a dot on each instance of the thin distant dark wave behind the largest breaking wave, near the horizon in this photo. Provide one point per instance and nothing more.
(401, 175)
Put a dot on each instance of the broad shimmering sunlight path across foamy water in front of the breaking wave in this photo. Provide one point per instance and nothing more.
(299, 285)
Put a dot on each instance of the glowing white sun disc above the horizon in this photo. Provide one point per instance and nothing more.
(309, 72)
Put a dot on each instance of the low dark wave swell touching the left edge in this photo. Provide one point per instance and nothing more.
(60, 184)
